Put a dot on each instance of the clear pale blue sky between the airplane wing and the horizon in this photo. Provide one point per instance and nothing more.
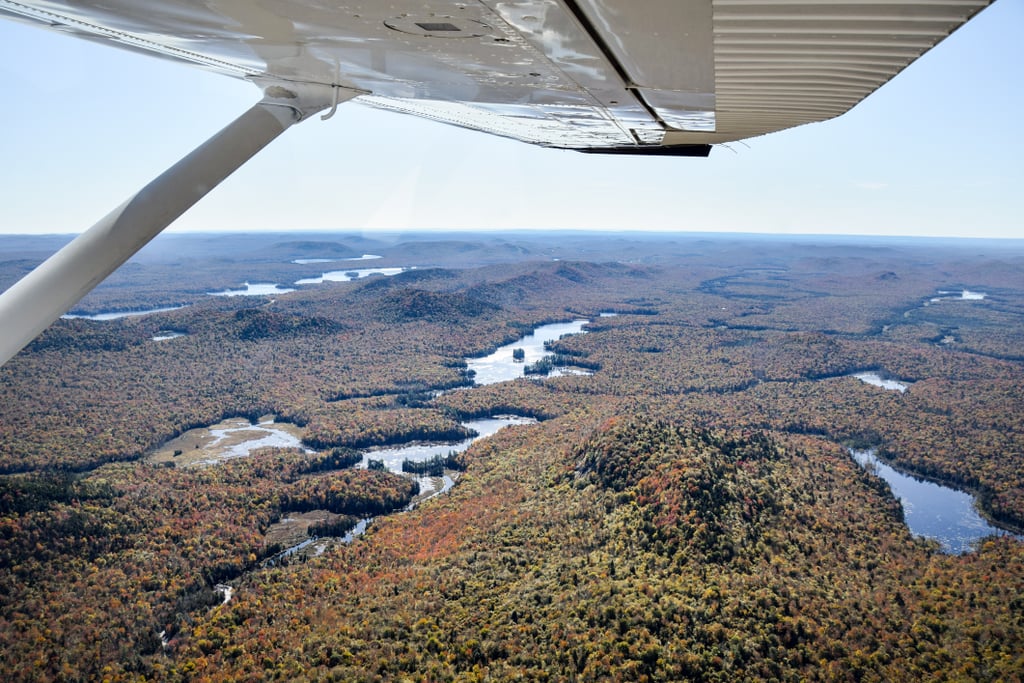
(937, 152)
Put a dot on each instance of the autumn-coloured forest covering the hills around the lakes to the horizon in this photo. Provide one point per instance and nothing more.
(685, 508)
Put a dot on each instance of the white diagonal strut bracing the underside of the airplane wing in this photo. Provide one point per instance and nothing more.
(57, 285)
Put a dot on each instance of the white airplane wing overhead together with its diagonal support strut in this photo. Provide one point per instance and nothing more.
(648, 77)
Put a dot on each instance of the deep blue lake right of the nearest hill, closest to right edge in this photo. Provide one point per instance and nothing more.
(931, 510)
